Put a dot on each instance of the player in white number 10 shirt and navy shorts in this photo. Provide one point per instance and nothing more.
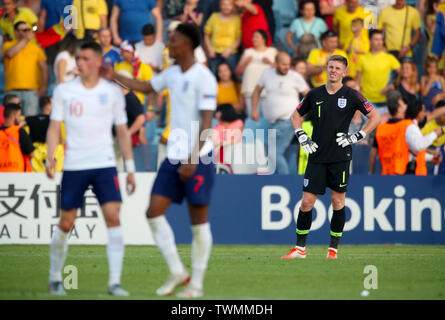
(89, 106)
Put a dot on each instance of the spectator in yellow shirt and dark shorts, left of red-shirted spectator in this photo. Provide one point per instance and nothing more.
(222, 36)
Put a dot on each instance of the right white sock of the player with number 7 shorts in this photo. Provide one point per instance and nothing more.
(201, 247)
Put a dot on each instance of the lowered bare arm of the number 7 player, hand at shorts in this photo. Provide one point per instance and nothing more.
(187, 170)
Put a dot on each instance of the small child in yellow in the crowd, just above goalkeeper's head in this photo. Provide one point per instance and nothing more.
(356, 45)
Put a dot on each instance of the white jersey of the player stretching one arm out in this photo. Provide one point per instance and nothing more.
(190, 92)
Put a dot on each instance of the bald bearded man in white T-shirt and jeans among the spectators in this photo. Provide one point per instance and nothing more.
(282, 87)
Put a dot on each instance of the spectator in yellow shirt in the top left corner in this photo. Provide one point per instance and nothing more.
(12, 15)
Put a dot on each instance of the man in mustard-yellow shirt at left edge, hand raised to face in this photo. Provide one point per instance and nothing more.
(26, 71)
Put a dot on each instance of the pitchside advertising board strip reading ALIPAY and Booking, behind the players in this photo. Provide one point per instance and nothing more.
(245, 209)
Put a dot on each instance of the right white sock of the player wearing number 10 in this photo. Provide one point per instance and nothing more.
(115, 253)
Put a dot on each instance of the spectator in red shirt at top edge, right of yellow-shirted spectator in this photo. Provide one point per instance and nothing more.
(252, 19)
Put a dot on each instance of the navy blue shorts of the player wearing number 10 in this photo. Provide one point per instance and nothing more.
(104, 181)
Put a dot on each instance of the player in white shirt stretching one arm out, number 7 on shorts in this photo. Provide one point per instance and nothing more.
(193, 89)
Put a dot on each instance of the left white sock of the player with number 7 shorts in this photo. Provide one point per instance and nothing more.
(165, 240)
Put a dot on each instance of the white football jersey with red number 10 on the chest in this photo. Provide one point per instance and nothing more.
(89, 115)
